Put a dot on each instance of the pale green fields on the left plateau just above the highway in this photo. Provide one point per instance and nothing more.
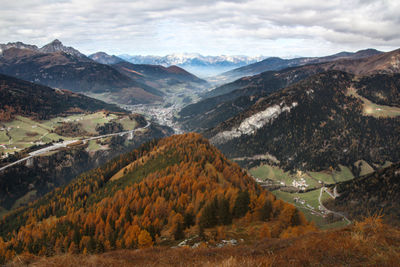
(23, 132)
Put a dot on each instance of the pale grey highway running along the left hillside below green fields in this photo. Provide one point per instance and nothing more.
(64, 144)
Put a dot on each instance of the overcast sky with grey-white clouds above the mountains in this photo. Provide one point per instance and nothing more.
(260, 27)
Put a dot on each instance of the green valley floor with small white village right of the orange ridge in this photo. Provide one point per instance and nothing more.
(307, 191)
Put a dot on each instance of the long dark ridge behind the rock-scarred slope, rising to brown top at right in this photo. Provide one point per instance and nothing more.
(230, 99)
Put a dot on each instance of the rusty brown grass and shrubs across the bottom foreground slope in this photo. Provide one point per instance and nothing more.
(367, 243)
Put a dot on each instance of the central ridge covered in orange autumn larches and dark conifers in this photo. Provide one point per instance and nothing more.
(155, 193)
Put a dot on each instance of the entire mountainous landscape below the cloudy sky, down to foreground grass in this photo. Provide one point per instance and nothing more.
(320, 133)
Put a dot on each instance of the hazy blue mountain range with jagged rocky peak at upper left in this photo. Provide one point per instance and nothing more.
(58, 66)
